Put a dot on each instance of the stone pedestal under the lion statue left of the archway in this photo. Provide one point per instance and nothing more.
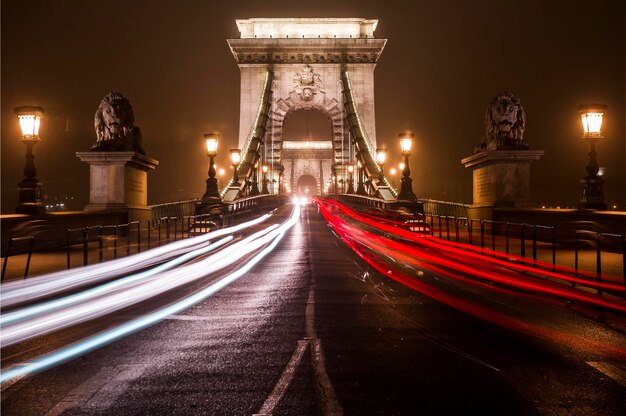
(119, 180)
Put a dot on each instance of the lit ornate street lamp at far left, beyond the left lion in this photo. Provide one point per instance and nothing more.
(31, 194)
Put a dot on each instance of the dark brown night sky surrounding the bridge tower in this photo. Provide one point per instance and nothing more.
(443, 62)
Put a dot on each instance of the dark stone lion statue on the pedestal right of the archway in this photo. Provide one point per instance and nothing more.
(505, 122)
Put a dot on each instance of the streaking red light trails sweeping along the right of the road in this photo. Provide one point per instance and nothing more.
(491, 277)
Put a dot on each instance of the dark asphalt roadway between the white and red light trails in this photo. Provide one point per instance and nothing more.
(312, 331)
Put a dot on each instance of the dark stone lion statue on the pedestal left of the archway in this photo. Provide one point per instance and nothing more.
(114, 122)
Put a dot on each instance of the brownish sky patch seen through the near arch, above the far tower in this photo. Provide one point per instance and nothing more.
(307, 125)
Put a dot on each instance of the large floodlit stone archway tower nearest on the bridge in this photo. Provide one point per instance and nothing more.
(306, 59)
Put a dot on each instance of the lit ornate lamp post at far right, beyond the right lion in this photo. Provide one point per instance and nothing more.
(593, 185)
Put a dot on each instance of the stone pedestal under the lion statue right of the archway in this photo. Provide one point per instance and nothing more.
(501, 178)
